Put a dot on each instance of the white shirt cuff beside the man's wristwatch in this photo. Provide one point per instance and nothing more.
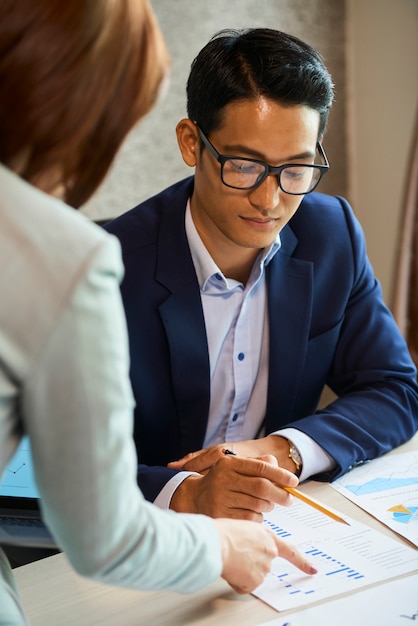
(315, 460)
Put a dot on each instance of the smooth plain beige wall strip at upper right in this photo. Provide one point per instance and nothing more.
(382, 63)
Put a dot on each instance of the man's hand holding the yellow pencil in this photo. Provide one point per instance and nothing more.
(233, 487)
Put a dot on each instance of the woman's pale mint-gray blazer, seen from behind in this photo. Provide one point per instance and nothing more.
(64, 381)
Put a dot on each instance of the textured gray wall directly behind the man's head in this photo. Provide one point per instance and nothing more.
(150, 161)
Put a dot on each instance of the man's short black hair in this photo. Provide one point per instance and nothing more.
(251, 63)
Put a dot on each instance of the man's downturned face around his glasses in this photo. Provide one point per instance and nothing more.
(241, 222)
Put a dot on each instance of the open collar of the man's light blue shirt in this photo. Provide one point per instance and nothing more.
(205, 266)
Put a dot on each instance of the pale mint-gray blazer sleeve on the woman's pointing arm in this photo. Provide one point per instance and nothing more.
(78, 404)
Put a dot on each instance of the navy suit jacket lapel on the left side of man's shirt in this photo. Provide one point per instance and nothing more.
(182, 317)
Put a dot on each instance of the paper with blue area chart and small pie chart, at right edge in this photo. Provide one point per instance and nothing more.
(387, 488)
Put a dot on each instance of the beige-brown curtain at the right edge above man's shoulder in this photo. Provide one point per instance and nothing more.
(405, 305)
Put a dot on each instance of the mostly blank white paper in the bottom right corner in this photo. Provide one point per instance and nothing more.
(390, 604)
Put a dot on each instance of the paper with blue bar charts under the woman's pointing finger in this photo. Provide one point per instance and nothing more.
(348, 558)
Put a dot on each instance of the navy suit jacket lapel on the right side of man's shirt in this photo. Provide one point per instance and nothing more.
(290, 284)
